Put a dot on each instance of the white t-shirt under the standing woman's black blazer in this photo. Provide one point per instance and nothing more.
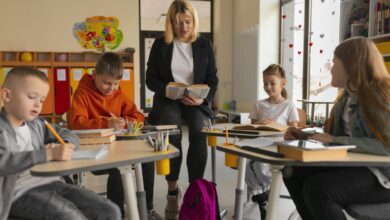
(182, 64)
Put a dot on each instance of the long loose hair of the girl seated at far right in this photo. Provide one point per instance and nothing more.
(368, 80)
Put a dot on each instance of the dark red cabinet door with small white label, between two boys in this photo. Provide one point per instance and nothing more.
(62, 90)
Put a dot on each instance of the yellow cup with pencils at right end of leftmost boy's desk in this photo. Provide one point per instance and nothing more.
(160, 144)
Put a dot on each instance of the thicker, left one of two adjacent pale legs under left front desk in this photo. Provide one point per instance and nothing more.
(128, 186)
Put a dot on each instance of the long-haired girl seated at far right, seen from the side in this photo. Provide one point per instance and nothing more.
(361, 117)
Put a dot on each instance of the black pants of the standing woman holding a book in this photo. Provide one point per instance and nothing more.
(173, 113)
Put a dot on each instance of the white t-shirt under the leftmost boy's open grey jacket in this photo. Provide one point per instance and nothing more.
(25, 180)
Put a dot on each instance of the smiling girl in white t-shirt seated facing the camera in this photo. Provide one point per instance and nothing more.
(274, 108)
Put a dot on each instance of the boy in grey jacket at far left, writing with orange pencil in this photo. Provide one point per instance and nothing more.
(24, 142)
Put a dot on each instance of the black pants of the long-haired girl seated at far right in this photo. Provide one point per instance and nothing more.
(322, 192)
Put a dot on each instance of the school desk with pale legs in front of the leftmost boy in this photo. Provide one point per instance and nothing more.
(121, 154)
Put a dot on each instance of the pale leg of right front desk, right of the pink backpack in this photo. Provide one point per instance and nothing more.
(273, 201)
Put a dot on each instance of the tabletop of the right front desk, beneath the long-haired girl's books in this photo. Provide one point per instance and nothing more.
(352, 159)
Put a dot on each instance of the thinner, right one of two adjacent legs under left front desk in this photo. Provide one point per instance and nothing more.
(141, 194)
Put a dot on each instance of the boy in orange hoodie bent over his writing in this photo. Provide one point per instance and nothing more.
(99, 95)
